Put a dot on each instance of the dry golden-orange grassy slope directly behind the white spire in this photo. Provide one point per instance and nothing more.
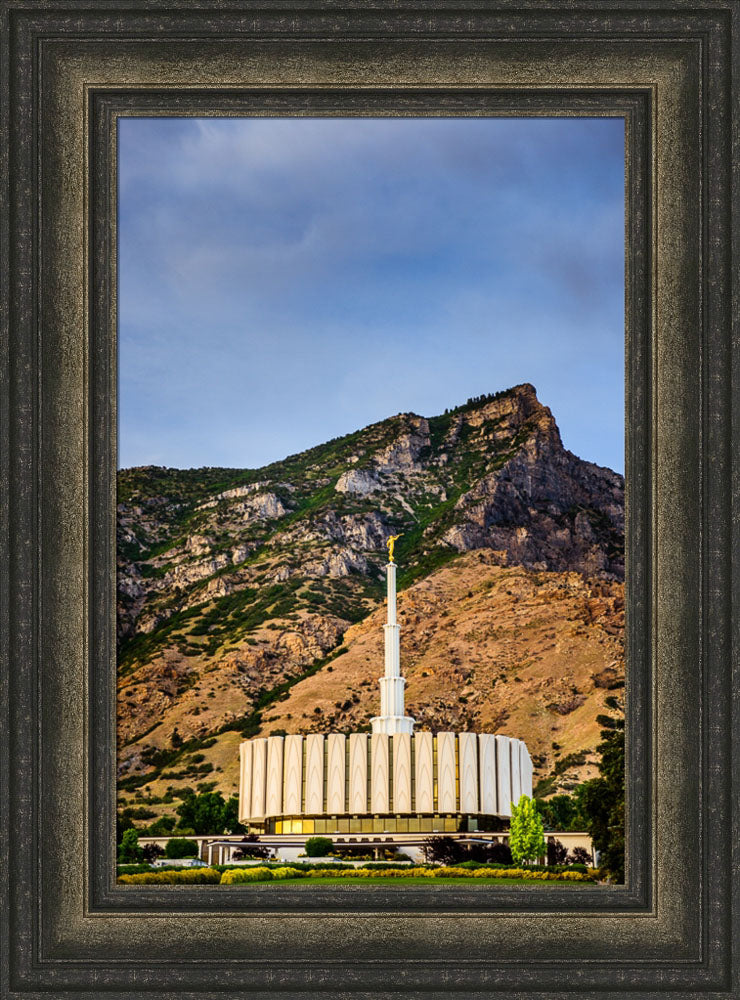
(485, 647)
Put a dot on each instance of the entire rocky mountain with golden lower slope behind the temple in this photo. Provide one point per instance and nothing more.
(250, 601)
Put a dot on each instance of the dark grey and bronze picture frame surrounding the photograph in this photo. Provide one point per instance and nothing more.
(69, 70)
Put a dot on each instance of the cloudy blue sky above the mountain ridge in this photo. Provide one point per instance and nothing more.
(286, 281)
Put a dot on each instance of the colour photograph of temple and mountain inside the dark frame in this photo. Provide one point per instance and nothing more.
(386, 639)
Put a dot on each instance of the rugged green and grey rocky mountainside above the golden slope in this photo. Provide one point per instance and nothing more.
(233, 581)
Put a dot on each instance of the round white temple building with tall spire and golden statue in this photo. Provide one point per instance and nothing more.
(392, 780)
